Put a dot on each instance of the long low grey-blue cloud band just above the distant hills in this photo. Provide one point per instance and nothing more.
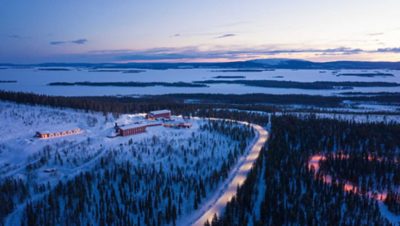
(193, 53)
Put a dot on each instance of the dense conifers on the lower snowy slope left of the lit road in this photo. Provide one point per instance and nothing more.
(122, 191)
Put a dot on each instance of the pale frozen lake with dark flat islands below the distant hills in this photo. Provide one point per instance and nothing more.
(35, 80)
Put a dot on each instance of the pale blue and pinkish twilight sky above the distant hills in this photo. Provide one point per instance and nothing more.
(198, 31)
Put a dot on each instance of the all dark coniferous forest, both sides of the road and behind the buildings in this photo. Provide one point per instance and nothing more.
(281, 189)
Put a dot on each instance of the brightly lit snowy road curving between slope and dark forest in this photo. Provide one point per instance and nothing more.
(239, 177)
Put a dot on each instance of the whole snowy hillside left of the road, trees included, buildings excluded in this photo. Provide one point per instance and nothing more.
(179, 168)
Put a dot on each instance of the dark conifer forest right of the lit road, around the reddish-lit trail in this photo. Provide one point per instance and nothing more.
(283, 190)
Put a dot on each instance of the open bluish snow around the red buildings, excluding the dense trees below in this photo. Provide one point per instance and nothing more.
(197, 152)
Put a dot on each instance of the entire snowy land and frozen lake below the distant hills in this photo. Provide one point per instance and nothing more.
(74, 166)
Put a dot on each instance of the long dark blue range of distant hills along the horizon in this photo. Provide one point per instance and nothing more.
(259, 64)
